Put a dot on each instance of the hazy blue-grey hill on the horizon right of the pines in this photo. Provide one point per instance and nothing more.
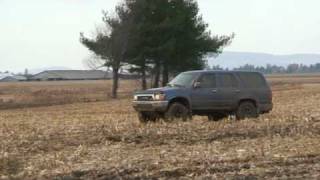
(235, 59)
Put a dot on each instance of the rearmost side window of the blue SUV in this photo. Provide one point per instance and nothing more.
(252, 80)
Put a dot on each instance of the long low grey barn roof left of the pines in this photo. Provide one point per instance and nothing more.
(72, 74)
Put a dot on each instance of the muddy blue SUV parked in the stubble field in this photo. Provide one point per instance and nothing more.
(216, 94)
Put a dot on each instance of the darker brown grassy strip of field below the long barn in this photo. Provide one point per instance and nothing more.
(35, 94)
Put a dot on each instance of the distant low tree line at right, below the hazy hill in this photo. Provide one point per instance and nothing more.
(275, 69)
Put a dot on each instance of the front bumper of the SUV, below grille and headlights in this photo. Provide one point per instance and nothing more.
(150, 106)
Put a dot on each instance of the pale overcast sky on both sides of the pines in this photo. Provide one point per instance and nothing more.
(45, 33)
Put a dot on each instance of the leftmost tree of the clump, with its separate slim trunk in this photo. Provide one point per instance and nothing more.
(111, 43)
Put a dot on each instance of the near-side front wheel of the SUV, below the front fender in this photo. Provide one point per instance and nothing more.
(177, 111)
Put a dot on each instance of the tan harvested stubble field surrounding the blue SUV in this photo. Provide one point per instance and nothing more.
(100, 138)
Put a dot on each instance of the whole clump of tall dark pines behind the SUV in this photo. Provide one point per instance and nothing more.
(159, 38)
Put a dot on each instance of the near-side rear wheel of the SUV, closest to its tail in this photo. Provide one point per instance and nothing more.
(247, 109)
